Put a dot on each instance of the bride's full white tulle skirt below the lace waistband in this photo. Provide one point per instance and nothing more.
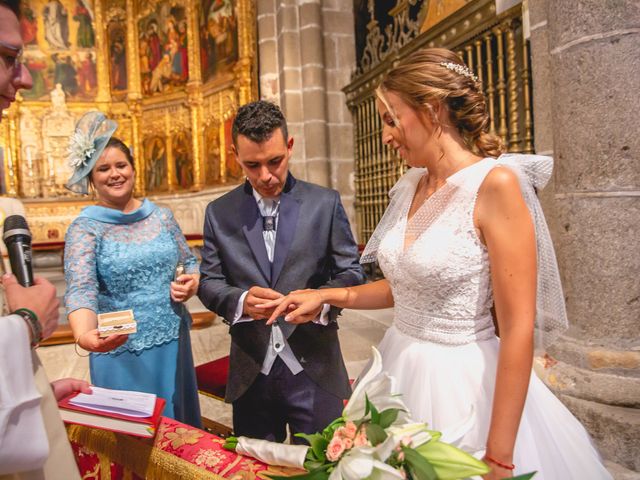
(443, 385)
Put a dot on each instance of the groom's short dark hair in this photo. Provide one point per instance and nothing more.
(257, 121)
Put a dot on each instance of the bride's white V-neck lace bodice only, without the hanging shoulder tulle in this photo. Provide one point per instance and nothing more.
(441, 281)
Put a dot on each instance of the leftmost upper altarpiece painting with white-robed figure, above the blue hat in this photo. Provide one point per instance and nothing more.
(59, 39)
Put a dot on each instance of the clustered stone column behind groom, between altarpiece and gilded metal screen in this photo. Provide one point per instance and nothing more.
(307, 53)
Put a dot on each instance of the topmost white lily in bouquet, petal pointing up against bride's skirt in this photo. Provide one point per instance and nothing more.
(376, 385)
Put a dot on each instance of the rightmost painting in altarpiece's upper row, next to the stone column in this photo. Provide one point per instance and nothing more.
(218, 25)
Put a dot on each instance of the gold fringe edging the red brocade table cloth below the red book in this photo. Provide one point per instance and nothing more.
(137, 455)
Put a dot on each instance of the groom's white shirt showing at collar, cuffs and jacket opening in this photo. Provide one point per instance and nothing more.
(278, 345)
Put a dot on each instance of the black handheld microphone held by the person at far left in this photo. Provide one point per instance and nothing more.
(17, 238)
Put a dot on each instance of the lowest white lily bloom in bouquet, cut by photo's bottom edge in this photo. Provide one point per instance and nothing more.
(360, 463)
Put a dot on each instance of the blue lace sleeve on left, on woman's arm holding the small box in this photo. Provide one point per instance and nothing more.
(80, 266)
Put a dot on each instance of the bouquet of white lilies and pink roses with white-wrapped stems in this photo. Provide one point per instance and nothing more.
(374, 438)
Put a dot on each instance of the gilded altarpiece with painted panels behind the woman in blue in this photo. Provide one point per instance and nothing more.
(171, 73)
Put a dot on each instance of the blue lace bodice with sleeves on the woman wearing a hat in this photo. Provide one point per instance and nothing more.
(110, 267)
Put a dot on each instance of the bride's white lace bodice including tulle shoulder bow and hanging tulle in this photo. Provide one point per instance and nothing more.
(441, 283)
